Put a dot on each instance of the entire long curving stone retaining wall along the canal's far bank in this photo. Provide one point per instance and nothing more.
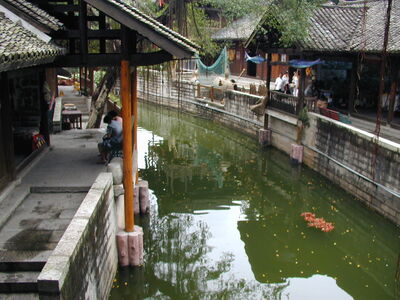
(342, 153)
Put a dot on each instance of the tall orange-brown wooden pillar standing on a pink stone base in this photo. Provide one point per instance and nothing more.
(127, 145)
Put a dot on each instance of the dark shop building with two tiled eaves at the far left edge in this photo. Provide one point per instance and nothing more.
(27, 83)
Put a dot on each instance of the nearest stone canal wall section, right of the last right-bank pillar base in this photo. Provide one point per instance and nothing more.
(352, 159)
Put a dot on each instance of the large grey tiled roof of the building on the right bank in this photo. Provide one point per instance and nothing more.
(340, 28)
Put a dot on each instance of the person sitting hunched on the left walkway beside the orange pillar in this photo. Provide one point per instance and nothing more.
(112, 139)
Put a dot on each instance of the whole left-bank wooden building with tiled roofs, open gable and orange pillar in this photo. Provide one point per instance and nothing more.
(38, 37)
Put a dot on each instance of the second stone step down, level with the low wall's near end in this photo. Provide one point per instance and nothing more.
(18, 282)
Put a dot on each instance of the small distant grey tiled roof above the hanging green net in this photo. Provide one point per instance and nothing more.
(239, 30)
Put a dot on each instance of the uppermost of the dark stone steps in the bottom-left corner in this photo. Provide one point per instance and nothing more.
(23, 260)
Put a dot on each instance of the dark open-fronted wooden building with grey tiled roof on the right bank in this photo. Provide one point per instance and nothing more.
(349, 38)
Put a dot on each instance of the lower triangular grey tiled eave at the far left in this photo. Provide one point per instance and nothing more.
(21, 48)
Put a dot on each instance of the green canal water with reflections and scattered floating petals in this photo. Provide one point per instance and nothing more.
(225, 223)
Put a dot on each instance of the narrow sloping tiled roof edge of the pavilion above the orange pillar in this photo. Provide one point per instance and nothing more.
(135, 13)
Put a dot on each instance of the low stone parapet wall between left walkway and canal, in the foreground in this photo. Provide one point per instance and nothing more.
(84, 263)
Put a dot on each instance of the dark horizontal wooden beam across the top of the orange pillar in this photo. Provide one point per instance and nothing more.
(112, 59)
